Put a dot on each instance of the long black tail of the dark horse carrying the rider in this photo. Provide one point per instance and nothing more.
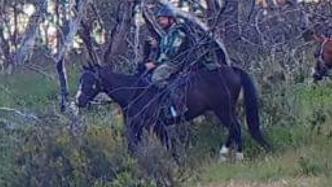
(251, 105)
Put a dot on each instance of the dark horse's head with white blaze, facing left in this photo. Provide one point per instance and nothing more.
(90, 86)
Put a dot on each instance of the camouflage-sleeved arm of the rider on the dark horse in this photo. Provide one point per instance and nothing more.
(176, 39)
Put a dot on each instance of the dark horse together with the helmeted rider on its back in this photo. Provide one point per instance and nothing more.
(217, 91)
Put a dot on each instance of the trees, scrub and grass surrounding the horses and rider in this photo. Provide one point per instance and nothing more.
(41, 39)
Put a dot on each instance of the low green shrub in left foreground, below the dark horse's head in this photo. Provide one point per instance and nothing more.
(49, 155)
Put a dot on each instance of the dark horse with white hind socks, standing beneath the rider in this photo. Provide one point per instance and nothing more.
(141, 103)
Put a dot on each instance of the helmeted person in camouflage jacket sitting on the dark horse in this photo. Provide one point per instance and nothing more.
(171, 56)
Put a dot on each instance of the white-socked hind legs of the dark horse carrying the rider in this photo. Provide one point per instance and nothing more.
(230, 121)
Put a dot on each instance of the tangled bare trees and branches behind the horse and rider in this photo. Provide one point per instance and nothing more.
(39, 31)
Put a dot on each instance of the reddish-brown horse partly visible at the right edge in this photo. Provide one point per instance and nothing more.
(323, 54)
